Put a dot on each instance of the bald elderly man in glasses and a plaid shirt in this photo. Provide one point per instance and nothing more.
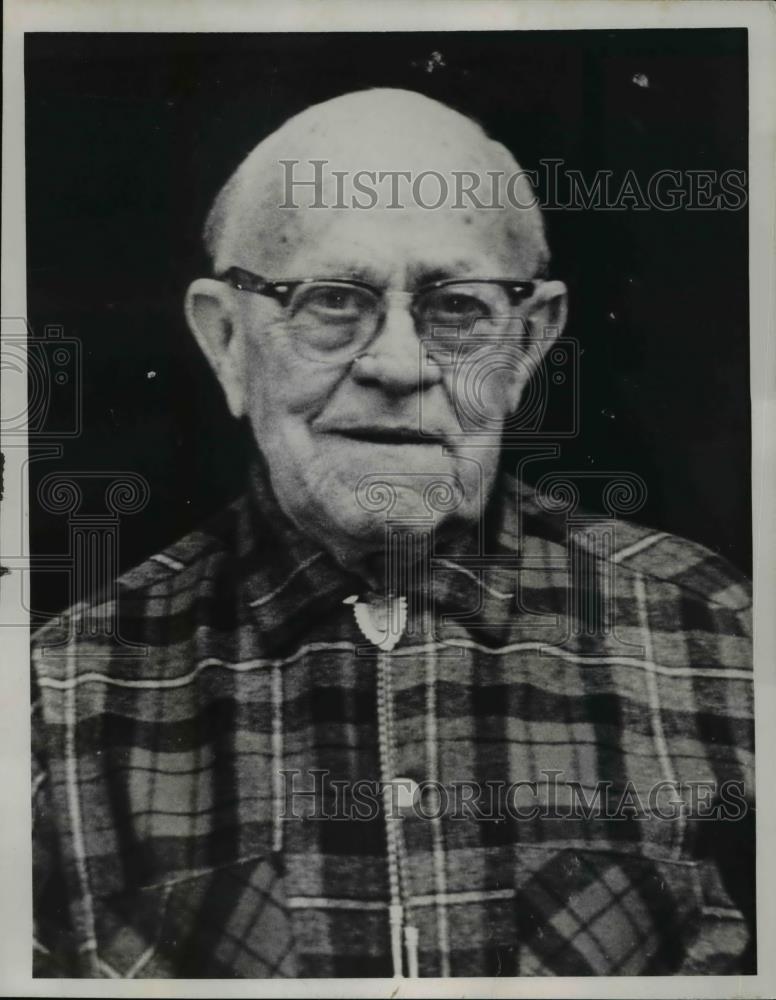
(364, 722)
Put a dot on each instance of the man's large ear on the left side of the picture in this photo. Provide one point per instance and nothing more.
(210, 315)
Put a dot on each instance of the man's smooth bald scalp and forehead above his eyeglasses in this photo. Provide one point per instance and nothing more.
(388, 170)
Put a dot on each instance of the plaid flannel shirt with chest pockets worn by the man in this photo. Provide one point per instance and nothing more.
(173, 836)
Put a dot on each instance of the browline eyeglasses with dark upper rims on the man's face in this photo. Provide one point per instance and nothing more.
(335, 319)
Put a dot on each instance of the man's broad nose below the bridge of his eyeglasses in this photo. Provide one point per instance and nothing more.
(396, 359)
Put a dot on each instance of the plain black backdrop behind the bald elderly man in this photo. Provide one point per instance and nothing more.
(129, 136)
